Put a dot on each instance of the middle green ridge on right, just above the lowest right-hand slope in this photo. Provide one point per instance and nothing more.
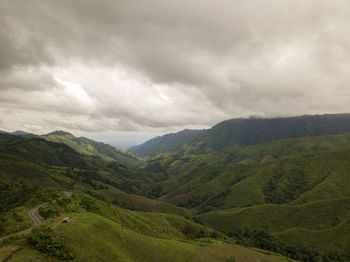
(299, 178)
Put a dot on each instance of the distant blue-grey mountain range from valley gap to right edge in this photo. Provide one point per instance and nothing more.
(240, 132)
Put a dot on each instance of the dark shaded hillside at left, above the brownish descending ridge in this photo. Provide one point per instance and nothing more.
(32, 159)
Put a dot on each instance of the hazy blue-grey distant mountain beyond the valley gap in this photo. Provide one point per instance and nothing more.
(166, 143)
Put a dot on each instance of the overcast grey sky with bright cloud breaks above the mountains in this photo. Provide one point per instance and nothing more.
(123, 71)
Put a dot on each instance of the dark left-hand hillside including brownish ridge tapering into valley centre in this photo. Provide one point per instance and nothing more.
(39, 162)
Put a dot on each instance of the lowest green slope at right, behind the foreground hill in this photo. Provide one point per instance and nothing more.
(320, 225)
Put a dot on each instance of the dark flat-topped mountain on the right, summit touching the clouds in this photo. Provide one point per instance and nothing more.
(244, 132)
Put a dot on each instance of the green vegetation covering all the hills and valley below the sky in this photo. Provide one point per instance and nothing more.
(271, 184)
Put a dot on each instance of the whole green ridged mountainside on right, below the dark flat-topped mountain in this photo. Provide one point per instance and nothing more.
(267, 194)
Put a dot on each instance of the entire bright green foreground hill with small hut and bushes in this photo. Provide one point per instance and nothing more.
(101, 232)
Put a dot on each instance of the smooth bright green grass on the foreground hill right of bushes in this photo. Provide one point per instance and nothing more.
(121, 244)
